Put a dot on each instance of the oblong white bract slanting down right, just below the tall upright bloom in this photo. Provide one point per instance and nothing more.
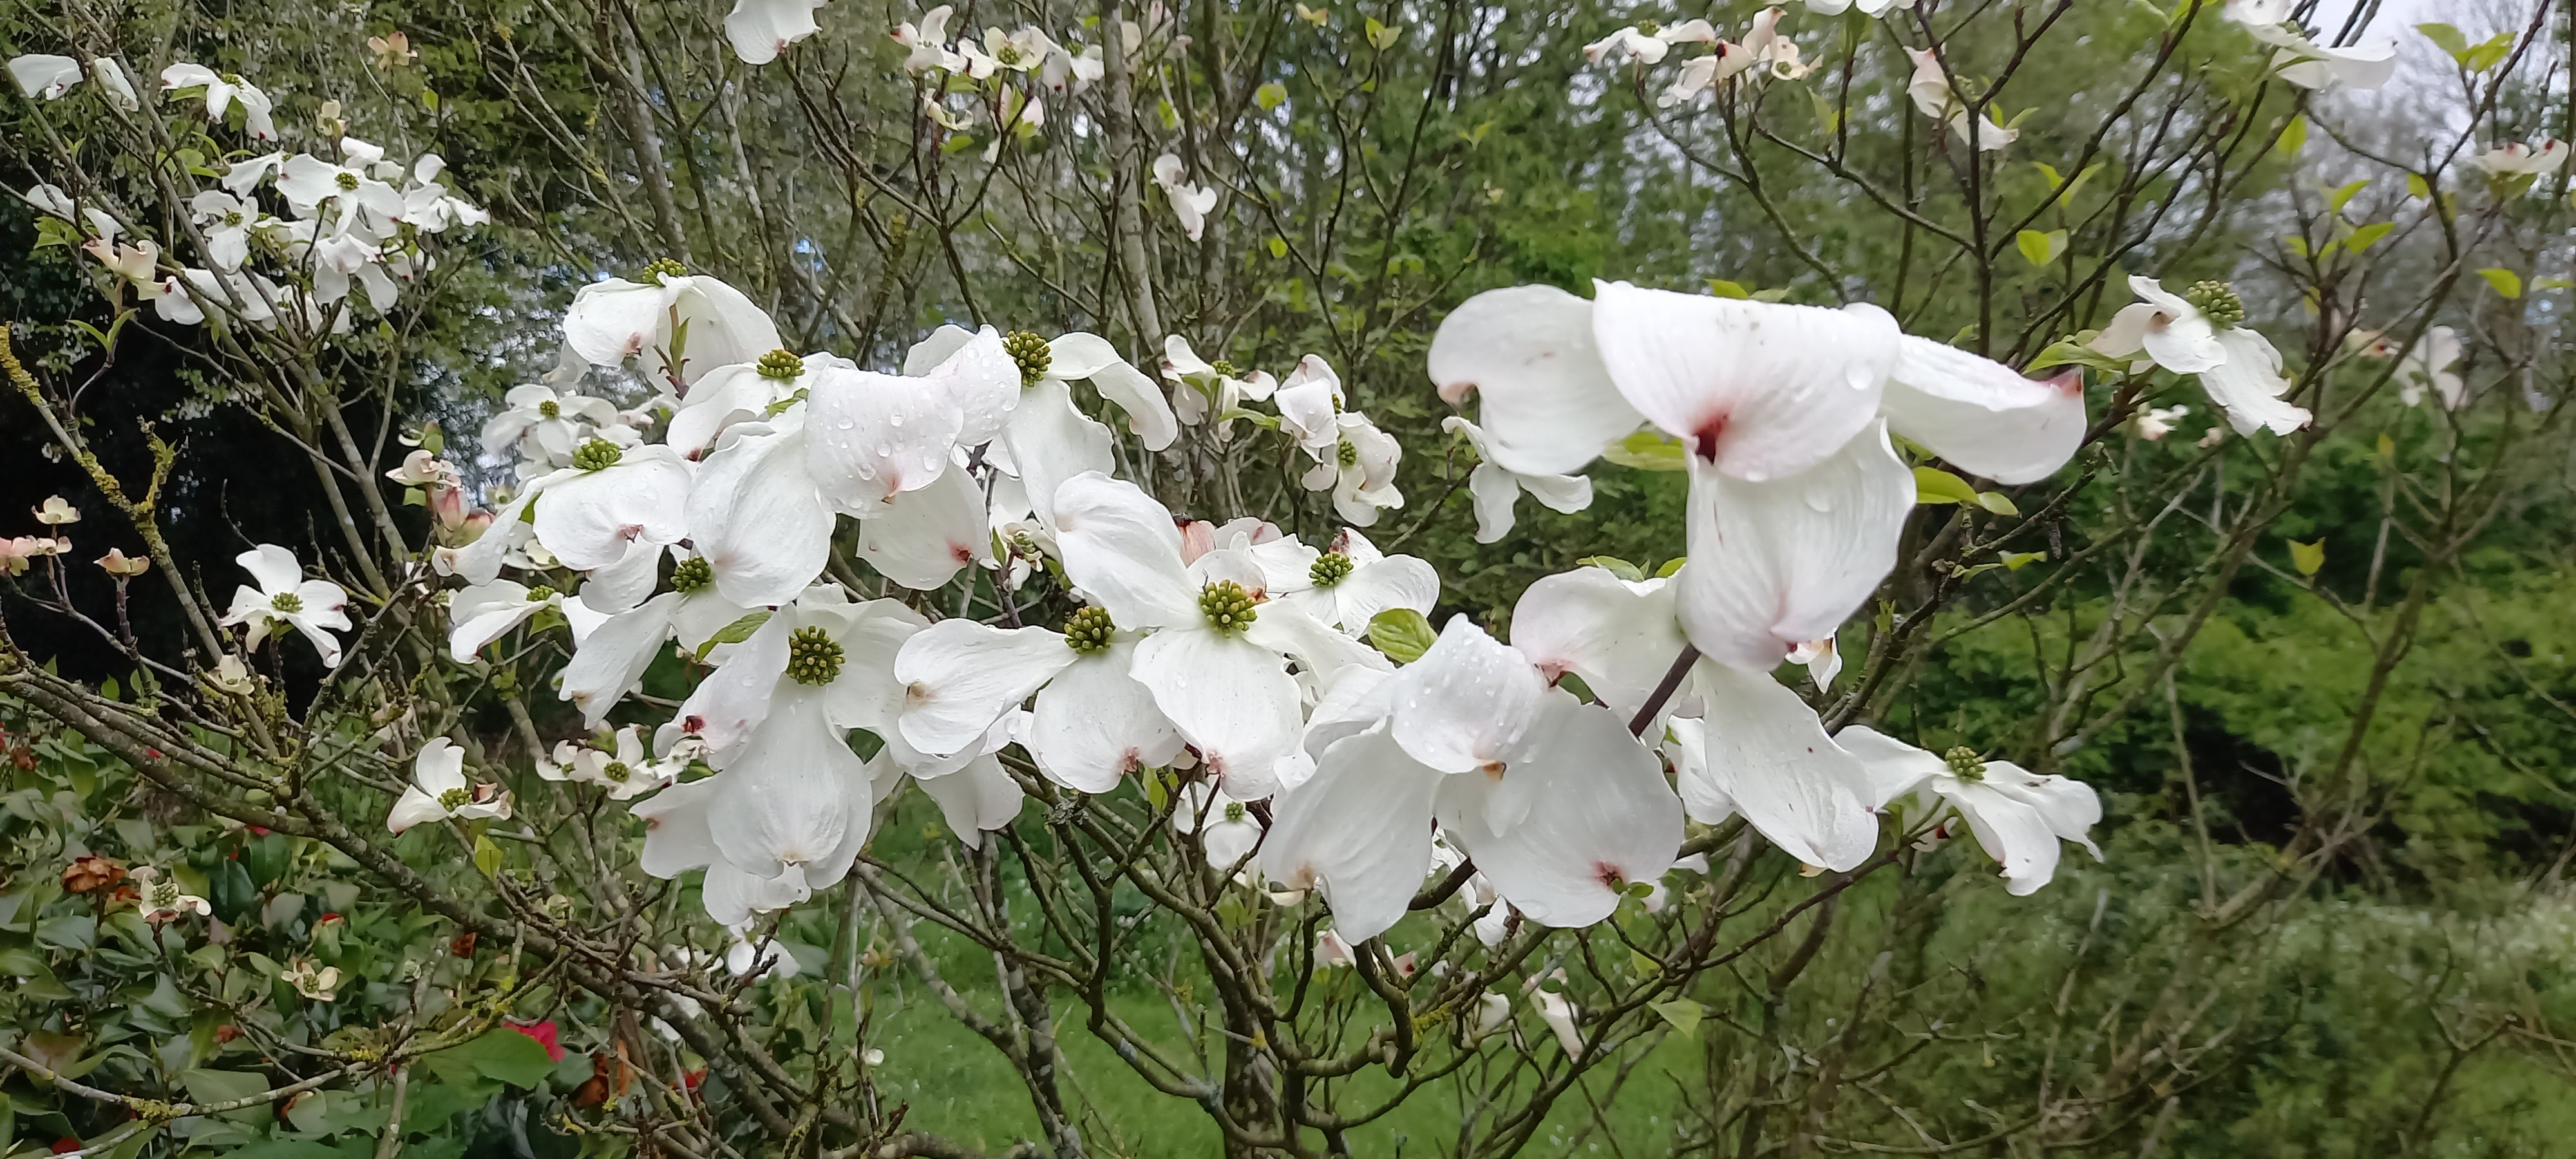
(1771, 759)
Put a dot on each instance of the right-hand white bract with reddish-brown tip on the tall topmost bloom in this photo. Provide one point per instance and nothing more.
(1982, 416)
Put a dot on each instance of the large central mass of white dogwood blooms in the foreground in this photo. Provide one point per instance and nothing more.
(1233, 655)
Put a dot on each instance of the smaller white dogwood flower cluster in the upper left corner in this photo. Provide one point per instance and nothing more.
(354, 218)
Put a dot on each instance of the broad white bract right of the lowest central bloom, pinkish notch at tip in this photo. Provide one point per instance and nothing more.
(1601, 818)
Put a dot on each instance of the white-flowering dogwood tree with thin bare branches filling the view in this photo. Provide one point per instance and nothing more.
(936, 442)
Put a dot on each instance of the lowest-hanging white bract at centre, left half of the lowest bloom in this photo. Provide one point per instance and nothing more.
(1361, 831)
